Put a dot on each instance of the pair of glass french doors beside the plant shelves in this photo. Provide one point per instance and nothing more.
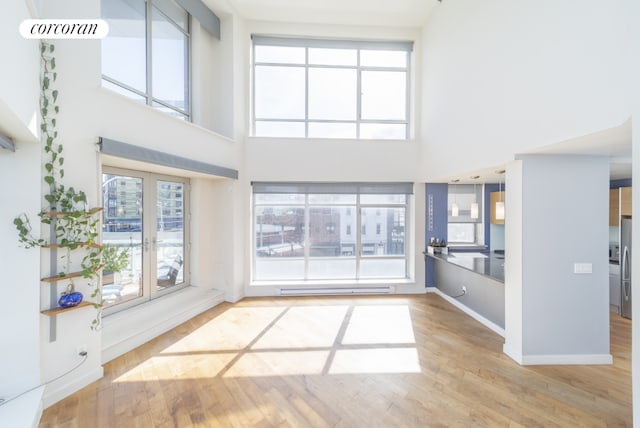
(144, 232)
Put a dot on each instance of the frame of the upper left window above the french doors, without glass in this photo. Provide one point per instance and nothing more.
(147, 95)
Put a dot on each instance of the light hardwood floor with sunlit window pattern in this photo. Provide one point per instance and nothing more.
(345, 362)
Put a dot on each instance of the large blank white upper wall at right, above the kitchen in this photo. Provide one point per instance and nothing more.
(503, 77)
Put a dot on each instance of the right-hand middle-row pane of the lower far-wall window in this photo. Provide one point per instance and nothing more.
(383, 231)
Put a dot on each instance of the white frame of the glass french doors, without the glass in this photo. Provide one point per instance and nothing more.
(149, 291)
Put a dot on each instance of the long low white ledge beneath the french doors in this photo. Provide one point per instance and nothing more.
(146, 322)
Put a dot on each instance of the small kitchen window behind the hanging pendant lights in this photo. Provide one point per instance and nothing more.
(464, 228)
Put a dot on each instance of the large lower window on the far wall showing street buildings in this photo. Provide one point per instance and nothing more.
(303, 231)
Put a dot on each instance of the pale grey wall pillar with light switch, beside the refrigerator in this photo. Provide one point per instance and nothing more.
(563, 316)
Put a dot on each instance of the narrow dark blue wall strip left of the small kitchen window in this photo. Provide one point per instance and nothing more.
(436, 216)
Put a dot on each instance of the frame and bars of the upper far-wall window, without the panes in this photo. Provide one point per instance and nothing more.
(333, 43)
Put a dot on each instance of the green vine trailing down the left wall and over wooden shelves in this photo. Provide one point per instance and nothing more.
(73, 224)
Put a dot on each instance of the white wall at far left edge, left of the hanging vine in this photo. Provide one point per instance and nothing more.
(20, 186)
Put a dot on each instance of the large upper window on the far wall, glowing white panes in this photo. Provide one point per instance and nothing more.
(330, 88)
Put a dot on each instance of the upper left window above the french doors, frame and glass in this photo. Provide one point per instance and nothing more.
(146, 53)
